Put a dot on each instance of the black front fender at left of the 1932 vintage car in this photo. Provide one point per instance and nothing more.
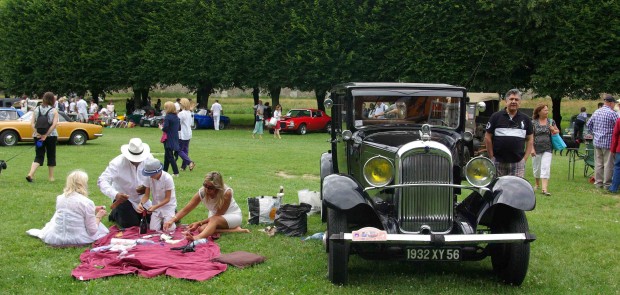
(342, 192)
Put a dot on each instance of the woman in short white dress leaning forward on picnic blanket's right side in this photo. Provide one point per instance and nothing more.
(224, 213)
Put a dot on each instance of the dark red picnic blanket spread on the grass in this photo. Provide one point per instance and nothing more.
(149, 260)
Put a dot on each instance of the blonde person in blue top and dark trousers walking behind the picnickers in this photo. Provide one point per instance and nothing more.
(171, 127)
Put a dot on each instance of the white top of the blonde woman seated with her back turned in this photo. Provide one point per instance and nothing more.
(73, 223)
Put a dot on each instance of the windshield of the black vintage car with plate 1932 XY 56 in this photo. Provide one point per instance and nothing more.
(438, 108)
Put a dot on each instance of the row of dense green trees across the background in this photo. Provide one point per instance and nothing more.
(556, 48)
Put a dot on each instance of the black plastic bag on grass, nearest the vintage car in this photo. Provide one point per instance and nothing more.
(292, 220)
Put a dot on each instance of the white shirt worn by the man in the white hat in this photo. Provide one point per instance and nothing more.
(122, 176)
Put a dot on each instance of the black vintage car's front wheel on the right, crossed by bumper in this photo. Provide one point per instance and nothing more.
(510, 261)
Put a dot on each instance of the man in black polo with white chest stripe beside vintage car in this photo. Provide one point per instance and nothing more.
(508, 138)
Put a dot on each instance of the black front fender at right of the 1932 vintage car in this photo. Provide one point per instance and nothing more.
(511, 191)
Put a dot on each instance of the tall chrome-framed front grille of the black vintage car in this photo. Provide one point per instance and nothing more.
(426, 205)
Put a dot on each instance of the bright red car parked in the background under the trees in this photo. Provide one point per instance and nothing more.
(304, 120)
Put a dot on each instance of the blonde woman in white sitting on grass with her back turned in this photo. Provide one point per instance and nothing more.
(77, 221)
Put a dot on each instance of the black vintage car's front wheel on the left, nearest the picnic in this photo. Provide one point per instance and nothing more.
(338, 257)
